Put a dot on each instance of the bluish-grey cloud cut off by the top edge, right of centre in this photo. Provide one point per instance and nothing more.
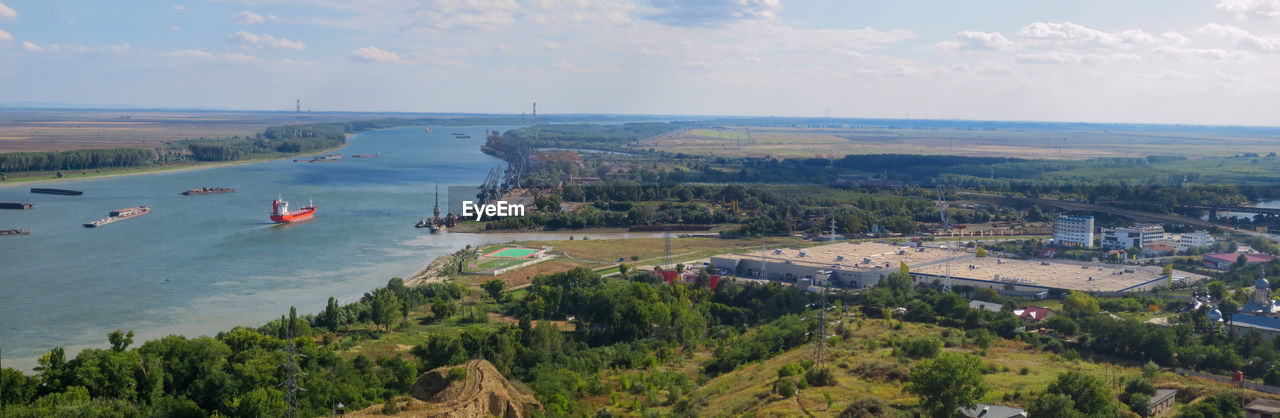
(712, 12)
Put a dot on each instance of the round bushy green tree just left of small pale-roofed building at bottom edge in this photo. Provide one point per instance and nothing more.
(948, 383)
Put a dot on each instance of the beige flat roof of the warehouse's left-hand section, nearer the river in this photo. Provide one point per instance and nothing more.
(857, 256)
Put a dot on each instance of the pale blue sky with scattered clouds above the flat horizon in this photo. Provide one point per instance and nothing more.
(1177, 62)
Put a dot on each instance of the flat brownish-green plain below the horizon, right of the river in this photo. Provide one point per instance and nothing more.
(1028, 144)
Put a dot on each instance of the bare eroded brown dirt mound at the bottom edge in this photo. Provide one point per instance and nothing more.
(482, 393)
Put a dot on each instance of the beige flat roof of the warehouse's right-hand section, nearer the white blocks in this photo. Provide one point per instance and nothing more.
(1055, 274)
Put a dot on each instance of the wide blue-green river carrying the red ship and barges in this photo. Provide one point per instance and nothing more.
(203, 264)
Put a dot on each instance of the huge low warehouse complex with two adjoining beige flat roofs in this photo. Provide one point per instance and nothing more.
(863, 265)
